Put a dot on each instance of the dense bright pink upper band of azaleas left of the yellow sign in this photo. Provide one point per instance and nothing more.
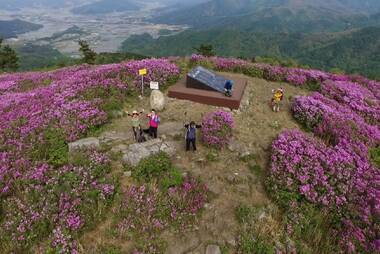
(72, 103)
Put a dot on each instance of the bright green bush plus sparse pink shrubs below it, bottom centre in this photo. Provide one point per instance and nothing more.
(164, 199)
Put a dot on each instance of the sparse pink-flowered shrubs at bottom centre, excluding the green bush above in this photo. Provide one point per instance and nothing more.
(146, 211)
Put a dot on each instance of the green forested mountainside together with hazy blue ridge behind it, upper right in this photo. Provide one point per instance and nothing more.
(323, 34)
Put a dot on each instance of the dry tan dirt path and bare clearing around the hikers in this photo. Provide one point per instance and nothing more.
(229, 179)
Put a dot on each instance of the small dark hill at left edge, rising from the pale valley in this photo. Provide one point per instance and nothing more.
(12, 28)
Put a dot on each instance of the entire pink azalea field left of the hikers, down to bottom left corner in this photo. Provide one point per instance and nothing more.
(39, 113)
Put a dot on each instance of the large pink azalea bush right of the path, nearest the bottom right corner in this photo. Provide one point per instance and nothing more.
(331, 178)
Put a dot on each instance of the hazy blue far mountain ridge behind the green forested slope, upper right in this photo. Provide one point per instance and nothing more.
(275, 15)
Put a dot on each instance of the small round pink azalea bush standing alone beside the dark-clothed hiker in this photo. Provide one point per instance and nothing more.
(217, 129)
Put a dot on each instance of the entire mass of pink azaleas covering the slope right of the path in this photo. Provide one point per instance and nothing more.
(333, 169)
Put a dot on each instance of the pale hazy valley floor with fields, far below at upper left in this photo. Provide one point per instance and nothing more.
(62, 29)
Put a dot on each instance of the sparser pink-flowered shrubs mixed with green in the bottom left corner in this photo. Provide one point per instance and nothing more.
(59, 202)
